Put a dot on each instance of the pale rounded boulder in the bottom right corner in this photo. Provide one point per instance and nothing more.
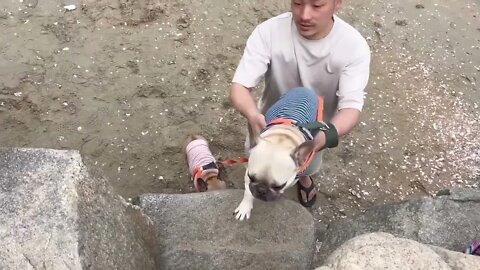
(384, 251)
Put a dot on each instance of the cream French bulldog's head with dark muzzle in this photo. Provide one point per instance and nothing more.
(273, 167)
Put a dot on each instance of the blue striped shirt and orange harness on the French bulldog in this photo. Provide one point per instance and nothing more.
(303, 109)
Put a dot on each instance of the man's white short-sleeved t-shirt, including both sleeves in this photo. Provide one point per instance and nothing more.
(336, 67)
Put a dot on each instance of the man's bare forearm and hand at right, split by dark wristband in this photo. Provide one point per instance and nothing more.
(344, 121)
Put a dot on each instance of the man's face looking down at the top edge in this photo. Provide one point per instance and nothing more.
(313, 18)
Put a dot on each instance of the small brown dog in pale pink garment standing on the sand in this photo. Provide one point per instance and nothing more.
(202, 165)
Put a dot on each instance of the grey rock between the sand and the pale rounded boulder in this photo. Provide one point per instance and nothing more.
(449, 221)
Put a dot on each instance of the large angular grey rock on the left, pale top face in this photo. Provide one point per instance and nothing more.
(54, 214)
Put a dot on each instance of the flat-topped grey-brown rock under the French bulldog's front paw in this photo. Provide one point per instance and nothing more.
(198, 231)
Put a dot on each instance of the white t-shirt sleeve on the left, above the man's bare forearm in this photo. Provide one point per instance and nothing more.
(255, 60)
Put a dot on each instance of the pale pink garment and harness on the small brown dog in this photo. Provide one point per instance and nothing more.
(200, 161)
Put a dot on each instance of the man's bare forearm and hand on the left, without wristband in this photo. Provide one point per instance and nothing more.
(243, 101)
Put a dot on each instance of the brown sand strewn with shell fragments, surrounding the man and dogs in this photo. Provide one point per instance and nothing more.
(125, 82)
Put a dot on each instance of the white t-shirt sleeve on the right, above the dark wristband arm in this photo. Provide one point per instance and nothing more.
(353, 81)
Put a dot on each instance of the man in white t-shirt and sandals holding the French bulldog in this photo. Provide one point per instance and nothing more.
(308, 47)
